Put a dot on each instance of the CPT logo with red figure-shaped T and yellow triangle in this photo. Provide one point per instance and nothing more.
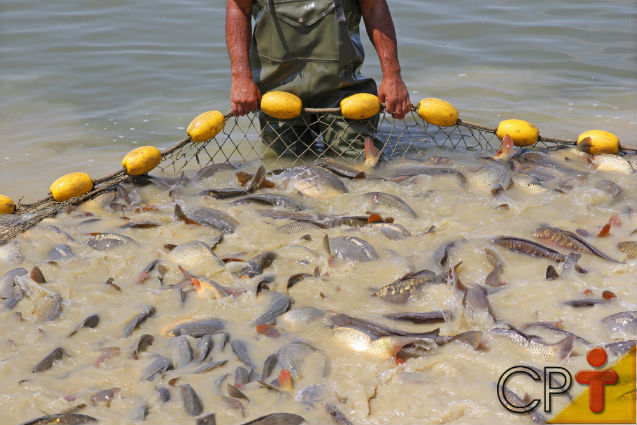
(608, 396)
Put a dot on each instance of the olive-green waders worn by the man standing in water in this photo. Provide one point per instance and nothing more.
(312, 49)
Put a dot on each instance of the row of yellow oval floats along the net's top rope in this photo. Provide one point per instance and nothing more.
(283, 105)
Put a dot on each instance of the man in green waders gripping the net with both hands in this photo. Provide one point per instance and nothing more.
(312, 49)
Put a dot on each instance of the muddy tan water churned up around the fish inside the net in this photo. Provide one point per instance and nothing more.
(452, 383)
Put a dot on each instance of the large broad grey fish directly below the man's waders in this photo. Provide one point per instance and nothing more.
(315, 182)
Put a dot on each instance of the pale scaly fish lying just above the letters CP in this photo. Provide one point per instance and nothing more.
(535, 345)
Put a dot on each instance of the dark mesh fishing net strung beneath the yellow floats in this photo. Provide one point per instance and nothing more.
(317, 133)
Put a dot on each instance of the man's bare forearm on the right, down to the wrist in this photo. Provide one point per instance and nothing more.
(382, 34)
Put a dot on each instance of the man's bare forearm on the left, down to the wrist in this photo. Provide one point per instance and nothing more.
(238, 35)
